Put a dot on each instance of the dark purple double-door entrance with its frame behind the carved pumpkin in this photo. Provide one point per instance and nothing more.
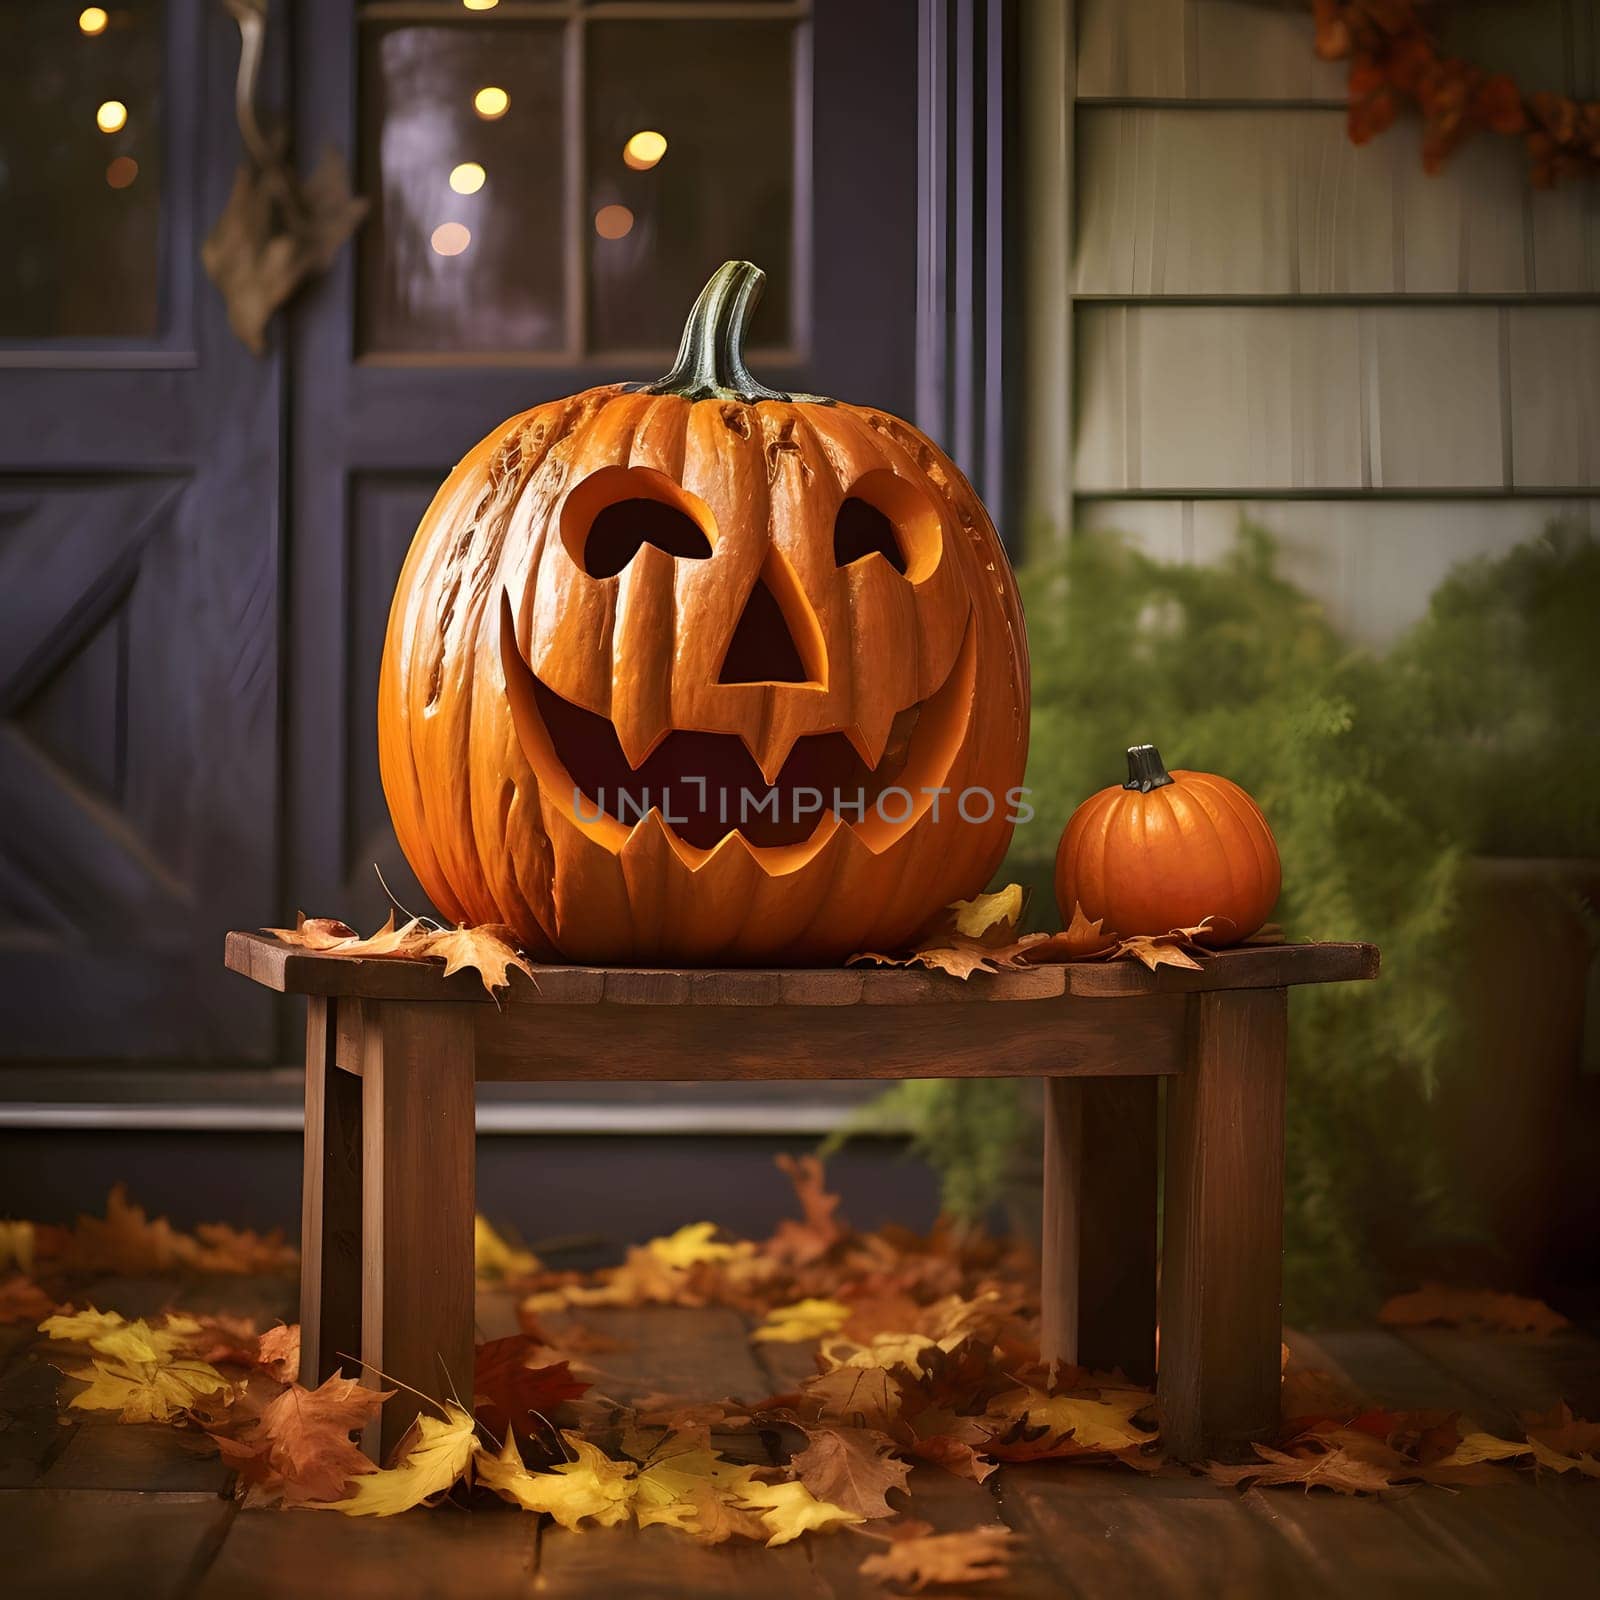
(198, 545)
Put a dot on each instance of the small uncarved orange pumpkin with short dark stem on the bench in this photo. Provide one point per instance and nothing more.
(1167, 850)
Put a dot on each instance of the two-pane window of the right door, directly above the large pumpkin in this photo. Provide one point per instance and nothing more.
(562, 185)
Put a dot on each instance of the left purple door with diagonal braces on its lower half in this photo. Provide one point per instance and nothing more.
(138, 570)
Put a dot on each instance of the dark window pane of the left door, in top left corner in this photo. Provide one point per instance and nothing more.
(81, 170)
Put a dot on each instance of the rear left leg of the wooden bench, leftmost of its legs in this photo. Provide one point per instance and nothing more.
(330, 1207)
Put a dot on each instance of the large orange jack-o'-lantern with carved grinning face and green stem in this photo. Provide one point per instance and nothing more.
(703, 673)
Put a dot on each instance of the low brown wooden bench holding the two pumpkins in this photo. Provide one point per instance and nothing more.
(394, 1050)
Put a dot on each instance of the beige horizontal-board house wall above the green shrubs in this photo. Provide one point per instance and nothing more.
(1390, 370)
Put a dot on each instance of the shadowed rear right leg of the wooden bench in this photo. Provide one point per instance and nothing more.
(1100, 1225)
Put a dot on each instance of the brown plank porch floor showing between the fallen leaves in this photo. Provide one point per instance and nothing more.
(108, 1510)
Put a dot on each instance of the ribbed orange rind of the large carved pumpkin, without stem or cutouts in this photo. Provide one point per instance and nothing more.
(490, 844)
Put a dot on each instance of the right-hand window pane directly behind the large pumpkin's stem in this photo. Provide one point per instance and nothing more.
(718, 182)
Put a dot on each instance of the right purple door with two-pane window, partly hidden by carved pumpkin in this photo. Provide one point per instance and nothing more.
(404, 362)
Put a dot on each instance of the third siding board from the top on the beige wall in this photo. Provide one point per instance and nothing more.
(1337, 398)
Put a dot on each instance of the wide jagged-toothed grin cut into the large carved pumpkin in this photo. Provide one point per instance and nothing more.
(708, 788)
